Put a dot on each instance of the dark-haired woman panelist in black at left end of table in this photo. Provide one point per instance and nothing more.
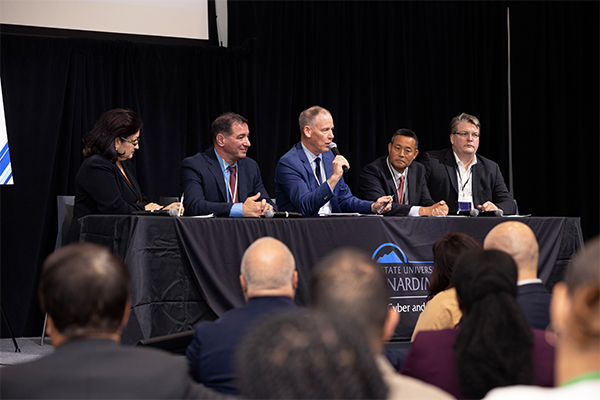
(106, 182)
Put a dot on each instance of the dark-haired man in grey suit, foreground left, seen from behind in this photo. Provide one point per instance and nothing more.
(84, 288)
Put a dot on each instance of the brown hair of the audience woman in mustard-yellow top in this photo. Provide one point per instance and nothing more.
(445, 253)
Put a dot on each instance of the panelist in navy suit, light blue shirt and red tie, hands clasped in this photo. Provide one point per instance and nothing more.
(222, 180)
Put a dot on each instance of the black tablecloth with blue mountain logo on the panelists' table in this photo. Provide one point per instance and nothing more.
(187, 269)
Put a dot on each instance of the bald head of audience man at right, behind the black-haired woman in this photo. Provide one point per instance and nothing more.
(518, 240)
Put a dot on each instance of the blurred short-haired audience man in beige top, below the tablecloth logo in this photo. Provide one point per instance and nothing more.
(347, 284)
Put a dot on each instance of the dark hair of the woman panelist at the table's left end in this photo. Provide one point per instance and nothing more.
(113, 125)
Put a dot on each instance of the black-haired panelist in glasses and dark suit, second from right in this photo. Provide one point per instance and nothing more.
(385, 175)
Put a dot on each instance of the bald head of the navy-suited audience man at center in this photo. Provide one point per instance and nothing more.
(268, 269)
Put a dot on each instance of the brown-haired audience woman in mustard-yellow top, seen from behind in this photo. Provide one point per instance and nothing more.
(441, 310)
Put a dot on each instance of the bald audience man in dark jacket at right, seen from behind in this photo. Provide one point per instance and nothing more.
(518, 240)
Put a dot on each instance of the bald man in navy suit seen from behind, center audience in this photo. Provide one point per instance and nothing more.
(269, 280)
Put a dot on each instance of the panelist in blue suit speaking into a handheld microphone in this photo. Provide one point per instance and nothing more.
(308, 178)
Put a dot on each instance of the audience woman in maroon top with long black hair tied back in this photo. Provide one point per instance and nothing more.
(494, 346)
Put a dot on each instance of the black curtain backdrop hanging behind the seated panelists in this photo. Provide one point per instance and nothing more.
(377, 66)
